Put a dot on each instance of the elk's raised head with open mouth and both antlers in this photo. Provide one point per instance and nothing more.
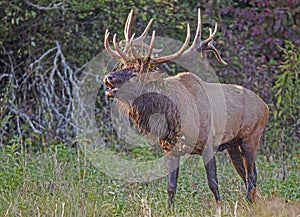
(136, 56)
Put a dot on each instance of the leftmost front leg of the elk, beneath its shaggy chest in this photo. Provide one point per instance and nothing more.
(172, 163)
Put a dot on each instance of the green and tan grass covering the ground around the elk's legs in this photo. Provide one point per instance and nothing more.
(60, 181)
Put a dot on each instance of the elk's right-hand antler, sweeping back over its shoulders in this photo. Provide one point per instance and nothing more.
(197, 45)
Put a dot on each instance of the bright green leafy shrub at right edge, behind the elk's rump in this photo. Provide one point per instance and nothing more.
(284, 124)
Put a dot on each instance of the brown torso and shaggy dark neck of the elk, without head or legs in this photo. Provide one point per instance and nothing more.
(194, 116)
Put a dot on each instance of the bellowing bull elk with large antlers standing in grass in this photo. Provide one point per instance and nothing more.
(194, 119)
